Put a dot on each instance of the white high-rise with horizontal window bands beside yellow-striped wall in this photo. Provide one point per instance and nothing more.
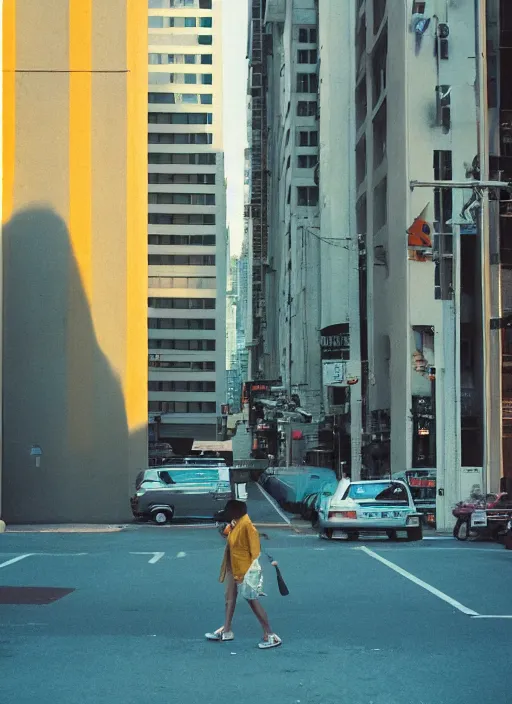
(187, 220)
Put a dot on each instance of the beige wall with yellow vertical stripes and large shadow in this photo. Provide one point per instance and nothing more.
(74, 246)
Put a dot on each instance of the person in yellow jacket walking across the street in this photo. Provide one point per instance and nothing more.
(241, 572)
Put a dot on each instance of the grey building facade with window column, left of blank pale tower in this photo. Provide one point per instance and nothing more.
(293, 252)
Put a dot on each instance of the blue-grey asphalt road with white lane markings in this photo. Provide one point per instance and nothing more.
(354, 629)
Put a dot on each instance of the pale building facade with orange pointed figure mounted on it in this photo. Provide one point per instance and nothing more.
(422, 303)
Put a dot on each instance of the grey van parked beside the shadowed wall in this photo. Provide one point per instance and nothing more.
(164, 493)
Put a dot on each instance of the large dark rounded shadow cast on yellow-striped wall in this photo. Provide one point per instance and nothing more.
(59, 390)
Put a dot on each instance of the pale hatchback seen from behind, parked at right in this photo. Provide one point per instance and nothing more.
(383, 506)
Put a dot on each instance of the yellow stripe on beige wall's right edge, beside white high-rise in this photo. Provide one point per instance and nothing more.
(136, 340)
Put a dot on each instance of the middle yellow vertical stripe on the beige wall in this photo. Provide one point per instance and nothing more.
(80, 160)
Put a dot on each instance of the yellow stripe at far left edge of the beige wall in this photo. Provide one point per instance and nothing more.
(8, 106)
